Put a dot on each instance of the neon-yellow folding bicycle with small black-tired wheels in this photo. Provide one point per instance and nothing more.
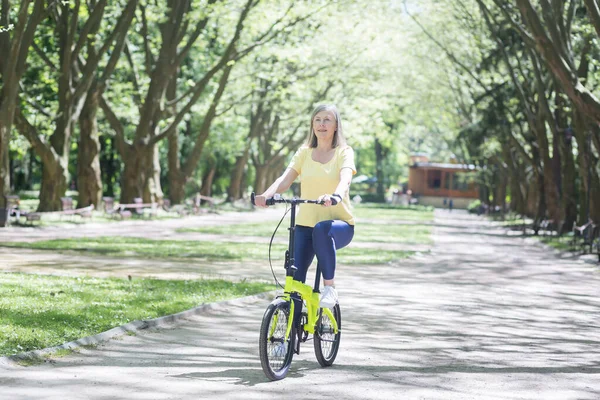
(281, 333)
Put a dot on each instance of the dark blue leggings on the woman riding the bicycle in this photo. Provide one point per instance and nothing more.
(322, 240)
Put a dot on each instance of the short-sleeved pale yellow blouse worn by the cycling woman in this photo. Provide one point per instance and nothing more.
(317, 179)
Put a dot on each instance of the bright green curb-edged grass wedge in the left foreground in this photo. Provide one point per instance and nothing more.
(38, 311)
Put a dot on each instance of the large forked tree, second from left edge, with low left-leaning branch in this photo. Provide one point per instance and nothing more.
(74, 78)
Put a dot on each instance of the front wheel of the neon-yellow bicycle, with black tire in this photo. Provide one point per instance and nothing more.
(275, 352)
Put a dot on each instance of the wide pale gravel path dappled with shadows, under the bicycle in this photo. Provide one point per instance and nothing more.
(483, 316)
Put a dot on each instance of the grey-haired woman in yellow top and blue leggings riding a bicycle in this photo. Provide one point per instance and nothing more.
(325, 165)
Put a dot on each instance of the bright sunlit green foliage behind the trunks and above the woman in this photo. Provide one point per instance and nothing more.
(391, 83)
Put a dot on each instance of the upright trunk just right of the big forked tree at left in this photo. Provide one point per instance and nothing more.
(89, 182)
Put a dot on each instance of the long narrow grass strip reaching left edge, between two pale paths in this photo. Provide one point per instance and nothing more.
(191, 249)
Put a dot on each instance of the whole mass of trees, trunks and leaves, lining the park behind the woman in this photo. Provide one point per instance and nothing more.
(135, 98)
